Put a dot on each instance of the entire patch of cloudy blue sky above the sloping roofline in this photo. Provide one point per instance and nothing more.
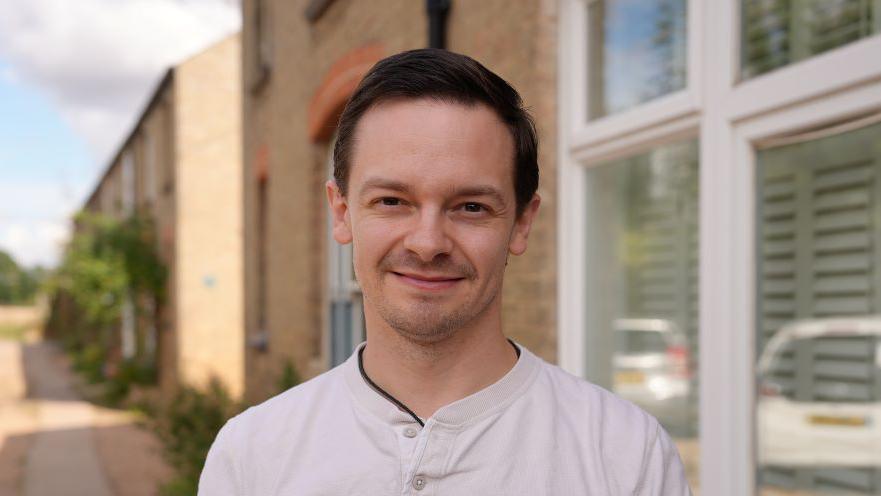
(73, 77)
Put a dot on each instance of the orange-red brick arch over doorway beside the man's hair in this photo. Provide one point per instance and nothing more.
(339, 83)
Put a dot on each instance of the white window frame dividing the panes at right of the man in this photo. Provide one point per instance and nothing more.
(732, 119)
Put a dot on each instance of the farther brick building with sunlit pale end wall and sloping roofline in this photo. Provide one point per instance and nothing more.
(181, 167)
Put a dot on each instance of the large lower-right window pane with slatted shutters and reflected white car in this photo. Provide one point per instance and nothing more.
(818, 327)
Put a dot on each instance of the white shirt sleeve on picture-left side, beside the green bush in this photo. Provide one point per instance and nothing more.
(221, 475)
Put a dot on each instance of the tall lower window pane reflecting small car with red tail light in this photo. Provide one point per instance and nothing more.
(642, 286)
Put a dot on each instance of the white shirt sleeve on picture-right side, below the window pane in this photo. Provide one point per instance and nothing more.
(664, 474)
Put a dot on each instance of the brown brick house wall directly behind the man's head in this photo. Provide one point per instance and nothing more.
(302, 59)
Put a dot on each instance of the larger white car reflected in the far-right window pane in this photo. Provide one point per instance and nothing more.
(839, 425)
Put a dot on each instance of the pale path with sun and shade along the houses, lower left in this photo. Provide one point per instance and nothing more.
(52, 443)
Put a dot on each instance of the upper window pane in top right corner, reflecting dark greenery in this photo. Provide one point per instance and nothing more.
(775, 33)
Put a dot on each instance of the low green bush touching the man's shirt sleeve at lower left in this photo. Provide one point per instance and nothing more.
(187, 426)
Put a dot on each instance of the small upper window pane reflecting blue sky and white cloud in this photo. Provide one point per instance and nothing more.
(637, 52)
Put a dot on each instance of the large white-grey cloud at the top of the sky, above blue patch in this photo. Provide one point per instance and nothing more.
(98, 60)
